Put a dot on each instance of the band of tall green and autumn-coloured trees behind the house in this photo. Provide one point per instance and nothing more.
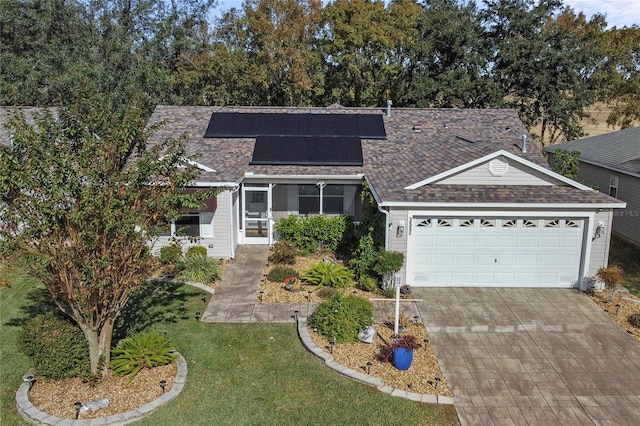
(545, 60)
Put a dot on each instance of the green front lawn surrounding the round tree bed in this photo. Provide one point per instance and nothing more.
(238, 374)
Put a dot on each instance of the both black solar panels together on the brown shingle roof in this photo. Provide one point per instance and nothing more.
(298, 138)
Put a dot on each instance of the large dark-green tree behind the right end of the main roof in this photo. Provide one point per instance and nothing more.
(544, 61)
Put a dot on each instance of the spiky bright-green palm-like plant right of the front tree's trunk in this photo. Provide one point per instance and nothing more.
(141, 351)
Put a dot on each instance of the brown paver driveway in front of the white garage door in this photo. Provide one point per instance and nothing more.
(532, 356)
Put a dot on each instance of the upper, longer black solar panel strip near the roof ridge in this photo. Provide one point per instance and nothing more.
(254, 124)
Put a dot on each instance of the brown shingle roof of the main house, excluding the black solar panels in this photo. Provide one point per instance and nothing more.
(420, 144)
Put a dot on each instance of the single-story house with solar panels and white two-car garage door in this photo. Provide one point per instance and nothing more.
(467, 196)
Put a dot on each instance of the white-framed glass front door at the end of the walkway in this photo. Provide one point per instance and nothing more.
(257, 214)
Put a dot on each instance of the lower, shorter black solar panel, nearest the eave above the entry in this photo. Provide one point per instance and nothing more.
(307, 151)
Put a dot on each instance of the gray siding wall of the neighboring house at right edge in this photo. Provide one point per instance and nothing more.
(626, 222)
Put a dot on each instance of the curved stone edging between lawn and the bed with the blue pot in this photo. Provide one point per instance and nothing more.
(328, 360)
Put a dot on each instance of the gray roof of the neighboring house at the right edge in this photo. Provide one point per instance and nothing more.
(619, 151)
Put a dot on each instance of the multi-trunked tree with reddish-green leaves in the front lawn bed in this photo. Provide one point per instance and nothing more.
(80, 199)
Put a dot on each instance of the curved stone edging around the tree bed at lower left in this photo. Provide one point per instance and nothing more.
(32, 414)
